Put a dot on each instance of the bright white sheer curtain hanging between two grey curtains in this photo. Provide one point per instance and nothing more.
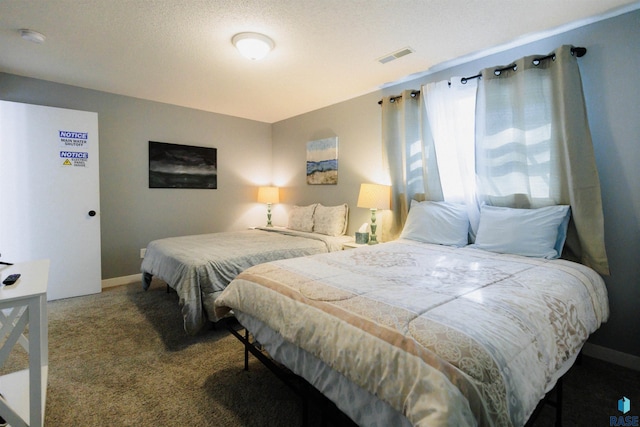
(450, 124)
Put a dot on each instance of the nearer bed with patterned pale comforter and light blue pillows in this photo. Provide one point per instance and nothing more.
(416, 333)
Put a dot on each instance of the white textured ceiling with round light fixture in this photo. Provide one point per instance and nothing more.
(326, 51)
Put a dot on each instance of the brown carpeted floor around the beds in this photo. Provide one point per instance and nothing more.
(122, 358)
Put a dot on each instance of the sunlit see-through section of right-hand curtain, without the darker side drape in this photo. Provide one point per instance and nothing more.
(517, 158)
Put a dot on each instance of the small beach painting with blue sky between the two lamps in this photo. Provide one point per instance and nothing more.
(322, 161)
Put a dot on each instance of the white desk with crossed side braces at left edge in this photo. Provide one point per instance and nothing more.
(21, 304)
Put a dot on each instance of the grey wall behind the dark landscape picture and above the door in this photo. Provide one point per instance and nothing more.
(132, 214)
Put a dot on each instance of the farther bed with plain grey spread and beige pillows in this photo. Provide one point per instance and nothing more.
(199, 267)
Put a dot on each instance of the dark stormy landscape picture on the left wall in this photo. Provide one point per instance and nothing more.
(182, 166)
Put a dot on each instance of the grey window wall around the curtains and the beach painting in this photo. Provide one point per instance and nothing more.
(612, 90)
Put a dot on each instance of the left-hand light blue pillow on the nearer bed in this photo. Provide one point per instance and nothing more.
(442, 223)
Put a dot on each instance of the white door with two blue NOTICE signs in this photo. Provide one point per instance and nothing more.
(49, 194)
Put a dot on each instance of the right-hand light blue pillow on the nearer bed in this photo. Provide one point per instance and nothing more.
(530, 232)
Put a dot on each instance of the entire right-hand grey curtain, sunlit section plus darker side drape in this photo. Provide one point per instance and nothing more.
(533, 147)
